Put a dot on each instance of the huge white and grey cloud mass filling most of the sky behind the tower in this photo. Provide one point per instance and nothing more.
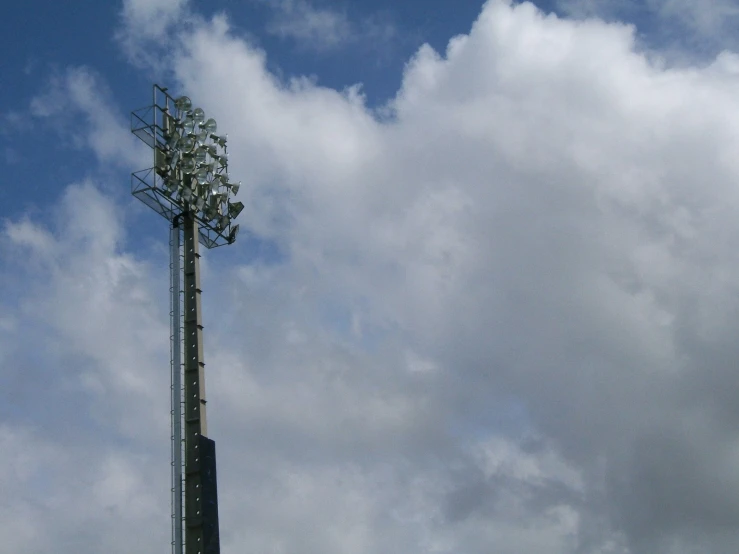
(539, 246)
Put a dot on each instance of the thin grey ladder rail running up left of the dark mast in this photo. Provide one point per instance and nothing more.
(176, 319)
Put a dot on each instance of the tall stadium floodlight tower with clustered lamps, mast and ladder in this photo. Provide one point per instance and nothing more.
(188, 185)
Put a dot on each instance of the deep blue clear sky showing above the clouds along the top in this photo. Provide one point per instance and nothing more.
(61, 36)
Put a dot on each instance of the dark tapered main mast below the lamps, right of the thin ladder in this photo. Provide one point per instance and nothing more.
(195, 416)
